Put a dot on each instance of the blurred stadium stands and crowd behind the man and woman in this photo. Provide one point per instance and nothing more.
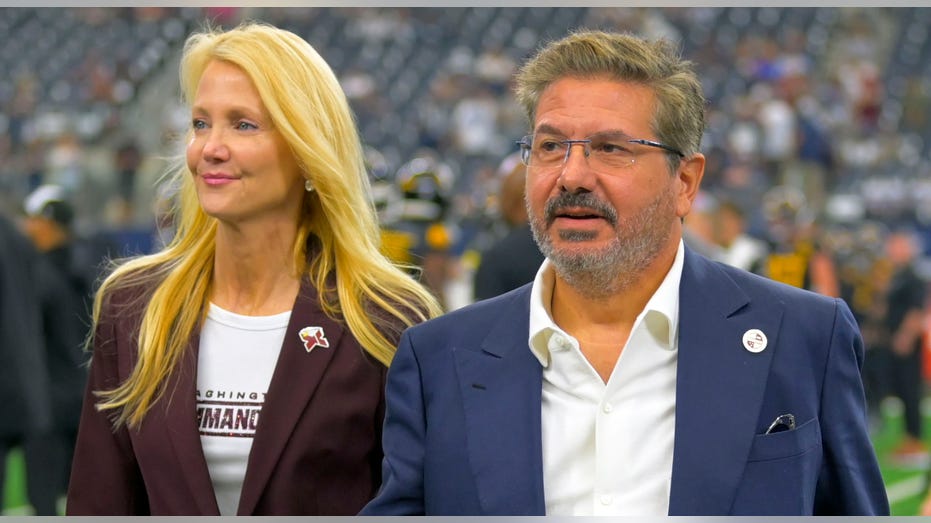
(818, 136)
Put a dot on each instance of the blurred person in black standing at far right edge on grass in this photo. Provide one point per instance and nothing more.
(904, 327)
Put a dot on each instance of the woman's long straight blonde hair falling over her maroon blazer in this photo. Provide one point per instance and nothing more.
(310, 110)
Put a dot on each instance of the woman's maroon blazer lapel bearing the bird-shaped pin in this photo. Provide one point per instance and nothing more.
(297, 374)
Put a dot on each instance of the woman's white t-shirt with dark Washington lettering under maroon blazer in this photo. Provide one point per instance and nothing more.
(234, 368)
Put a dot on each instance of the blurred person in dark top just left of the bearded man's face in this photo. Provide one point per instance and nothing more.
(513, 259)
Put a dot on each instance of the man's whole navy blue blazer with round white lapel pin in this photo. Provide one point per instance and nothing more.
(462, 429)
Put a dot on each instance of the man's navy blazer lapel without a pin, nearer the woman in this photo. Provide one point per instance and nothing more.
(501, 386)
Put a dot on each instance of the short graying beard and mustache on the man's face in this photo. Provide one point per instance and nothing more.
(608, 271)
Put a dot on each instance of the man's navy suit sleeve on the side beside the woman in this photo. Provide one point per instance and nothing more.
(401, 493)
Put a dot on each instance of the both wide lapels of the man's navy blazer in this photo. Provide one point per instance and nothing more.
(720, 386)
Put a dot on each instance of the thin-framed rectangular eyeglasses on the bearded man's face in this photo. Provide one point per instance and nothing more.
(607, 150)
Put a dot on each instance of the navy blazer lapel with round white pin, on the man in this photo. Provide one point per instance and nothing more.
(720, 386)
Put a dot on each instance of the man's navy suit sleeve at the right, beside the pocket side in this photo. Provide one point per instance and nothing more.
(850, 482)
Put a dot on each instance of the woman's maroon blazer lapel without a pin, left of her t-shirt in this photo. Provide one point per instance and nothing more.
(181, 427)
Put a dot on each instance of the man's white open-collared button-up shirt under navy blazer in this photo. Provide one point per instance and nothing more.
(607, 447)
